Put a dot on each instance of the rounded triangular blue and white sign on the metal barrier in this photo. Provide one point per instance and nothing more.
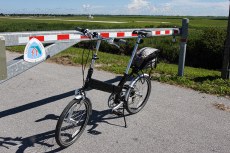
(34, 51)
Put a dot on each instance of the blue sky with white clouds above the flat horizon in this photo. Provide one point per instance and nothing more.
(117, 7)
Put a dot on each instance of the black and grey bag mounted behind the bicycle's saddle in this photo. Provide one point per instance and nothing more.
(145, 58)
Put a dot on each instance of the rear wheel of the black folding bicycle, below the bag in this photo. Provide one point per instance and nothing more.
(138, 94)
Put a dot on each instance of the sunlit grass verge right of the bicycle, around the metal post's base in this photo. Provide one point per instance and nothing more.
(203, 80)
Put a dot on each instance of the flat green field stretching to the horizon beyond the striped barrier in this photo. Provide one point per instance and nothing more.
(13, 24)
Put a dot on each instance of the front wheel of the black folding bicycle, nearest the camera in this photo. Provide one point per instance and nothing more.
(72, 122)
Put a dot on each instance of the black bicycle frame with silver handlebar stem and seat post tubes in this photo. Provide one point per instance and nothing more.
(103, 86)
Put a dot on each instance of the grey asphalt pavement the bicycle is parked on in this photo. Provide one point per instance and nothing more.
(175, 119)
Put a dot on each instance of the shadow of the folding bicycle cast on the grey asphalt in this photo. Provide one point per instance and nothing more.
(45, 142)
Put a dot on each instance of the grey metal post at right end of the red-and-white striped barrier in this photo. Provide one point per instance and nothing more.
(183, 46)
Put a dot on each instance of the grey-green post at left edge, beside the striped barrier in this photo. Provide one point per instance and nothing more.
(3, 70)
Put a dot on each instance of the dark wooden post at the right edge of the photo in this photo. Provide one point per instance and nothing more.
(225, 74)
